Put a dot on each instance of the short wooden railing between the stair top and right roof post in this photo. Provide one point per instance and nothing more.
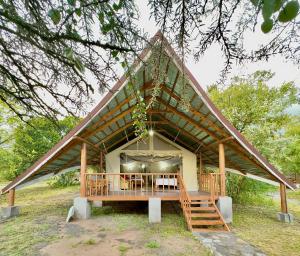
(211, 182)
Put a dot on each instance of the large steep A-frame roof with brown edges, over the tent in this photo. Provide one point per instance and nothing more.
(200, 129)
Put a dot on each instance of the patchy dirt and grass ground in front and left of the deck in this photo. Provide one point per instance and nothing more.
(115, 229)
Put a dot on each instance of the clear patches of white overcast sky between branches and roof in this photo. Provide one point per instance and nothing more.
(208, 69)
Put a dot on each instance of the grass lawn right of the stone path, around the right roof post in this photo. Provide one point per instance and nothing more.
(258, 225)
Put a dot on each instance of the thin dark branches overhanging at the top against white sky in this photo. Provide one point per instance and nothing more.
(49, 43)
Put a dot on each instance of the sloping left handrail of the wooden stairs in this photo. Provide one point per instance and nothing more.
(185, 202)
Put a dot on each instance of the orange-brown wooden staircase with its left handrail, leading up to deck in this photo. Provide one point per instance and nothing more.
(201, 213)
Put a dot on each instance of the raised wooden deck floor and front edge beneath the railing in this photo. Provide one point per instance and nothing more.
(145, 195)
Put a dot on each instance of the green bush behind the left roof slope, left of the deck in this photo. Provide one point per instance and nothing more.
(64, 180)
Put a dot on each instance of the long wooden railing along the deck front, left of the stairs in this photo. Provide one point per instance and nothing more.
(104, 184)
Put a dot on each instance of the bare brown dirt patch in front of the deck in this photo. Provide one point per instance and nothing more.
(103, 236)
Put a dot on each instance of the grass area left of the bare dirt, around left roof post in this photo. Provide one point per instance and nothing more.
(24, 234)
